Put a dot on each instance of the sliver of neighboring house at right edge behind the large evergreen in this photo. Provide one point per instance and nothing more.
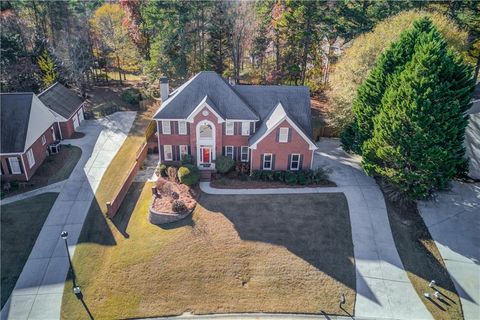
(472, 136)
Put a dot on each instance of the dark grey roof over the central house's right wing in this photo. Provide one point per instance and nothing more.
(295, 101)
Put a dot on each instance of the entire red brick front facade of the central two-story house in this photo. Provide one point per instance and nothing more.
(269, 144)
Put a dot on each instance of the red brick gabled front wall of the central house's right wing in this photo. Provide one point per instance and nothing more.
(281, 151)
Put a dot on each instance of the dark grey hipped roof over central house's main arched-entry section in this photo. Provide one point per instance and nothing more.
(226, 102)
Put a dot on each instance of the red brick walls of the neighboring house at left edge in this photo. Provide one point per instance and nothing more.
(39, 152)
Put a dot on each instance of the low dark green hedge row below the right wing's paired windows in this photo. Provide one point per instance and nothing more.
(302, 177)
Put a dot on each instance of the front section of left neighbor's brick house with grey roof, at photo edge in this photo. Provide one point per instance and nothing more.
(27, 128)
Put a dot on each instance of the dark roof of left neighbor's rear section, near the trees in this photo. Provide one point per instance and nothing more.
(61, 100)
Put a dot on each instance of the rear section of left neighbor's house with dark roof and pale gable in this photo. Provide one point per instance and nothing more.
(66, 106)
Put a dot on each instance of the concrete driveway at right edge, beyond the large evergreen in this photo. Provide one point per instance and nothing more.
(453, 220)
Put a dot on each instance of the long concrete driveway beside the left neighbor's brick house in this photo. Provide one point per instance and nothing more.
(38, 291)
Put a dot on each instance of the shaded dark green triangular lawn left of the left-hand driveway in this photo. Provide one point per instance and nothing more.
(21, 223)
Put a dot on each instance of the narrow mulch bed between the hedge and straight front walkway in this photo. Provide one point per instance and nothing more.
(229, 182)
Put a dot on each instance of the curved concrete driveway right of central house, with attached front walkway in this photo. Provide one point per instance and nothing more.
(383, 288)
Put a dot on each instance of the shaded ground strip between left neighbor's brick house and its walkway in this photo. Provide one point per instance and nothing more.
(55, 168)
